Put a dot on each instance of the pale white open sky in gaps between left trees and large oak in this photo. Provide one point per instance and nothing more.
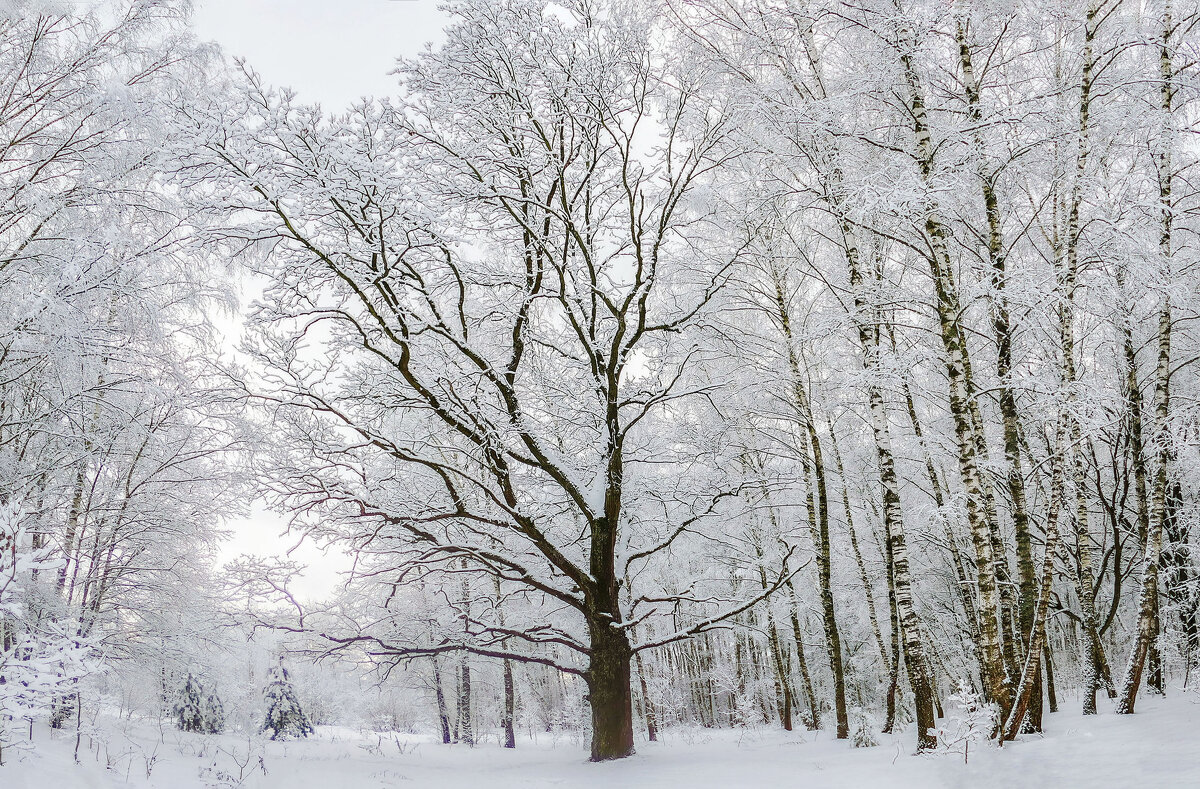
(332, 52)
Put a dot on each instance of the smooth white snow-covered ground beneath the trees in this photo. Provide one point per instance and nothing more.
(1157, 749)
